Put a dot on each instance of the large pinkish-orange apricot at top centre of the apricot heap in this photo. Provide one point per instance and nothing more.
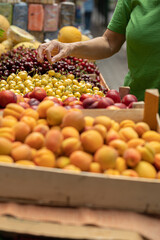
(74, 119)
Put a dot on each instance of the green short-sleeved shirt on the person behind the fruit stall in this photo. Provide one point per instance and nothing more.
(139, 20)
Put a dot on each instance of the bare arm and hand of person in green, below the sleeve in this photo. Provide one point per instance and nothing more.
(94, 49)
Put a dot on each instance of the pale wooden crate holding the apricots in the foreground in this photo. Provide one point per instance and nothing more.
(55, 187)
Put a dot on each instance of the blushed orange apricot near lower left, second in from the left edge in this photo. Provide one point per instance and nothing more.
(22, 152)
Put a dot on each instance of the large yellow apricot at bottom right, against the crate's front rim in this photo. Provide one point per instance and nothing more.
(145, 170)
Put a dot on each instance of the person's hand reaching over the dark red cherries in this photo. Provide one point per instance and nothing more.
(53, 50)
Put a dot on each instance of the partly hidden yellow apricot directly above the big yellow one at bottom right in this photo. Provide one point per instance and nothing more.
(147, 152)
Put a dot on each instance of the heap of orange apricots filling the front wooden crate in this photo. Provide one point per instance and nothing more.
(55, 137)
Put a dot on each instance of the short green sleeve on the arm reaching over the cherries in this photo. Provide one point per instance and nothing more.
(120, 16)
